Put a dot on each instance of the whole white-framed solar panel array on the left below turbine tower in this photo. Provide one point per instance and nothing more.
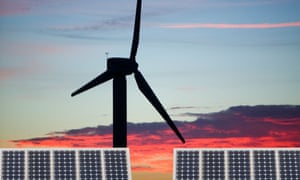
(66, 163)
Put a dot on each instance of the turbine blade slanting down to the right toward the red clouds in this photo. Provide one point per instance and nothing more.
(149, 94)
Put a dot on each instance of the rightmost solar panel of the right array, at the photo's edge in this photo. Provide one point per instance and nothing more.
(289, 164)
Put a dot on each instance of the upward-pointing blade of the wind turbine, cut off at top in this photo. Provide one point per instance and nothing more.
(136, 32)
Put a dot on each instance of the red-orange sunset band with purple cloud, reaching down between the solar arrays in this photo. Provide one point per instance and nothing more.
(151, 145)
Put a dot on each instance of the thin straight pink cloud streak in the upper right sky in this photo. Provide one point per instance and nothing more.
(232, 26)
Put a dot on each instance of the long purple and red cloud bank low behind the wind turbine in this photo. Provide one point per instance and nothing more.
(280, 122)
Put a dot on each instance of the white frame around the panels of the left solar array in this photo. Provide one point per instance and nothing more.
(76, 158)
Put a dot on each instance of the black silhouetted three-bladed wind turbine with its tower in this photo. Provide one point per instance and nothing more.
(117, 69)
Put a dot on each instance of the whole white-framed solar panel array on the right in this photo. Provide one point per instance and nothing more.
(233, 164)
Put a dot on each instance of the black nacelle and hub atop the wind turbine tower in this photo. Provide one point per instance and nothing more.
(121, 65)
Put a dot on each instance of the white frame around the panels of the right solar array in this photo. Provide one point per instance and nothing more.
(251, 160)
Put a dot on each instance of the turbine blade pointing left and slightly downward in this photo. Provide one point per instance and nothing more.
(98, 80)
